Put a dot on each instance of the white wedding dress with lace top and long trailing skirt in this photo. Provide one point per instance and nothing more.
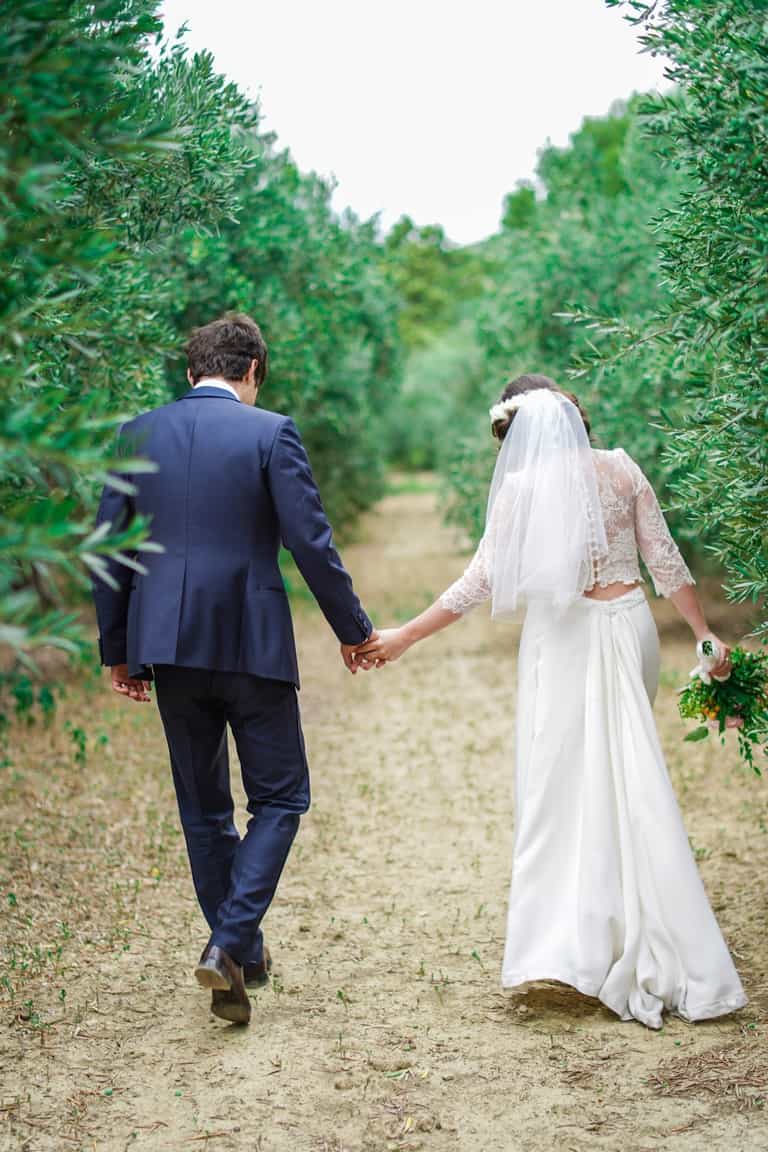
(606, 896)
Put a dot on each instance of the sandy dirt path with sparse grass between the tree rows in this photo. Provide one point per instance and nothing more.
(385, 1027)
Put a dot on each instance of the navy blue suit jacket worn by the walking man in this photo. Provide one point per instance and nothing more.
(232, 483)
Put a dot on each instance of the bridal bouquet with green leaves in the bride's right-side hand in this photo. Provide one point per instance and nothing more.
(740, 702)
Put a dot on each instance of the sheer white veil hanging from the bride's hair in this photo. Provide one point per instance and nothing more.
(544, 528)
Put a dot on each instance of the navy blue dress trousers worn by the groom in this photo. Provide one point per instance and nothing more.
(234, 880)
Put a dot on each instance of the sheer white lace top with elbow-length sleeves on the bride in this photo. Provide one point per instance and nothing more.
(634, 521)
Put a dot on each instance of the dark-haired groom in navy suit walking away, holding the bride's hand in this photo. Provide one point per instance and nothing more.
(210, 622)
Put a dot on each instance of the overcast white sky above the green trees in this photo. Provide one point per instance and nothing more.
(427, 108)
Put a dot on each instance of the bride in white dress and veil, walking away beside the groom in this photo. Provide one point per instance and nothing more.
(606, 896)
